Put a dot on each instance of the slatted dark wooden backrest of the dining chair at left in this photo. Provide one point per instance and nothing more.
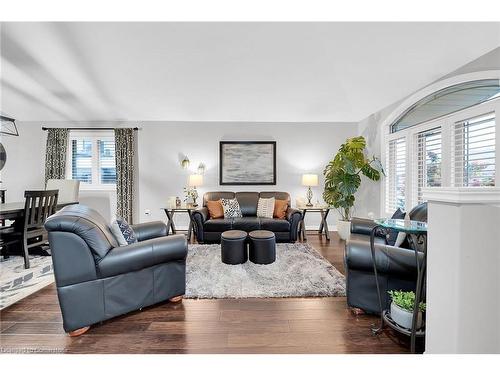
(38, 206)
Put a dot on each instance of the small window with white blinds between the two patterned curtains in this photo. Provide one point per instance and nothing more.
(92, 159)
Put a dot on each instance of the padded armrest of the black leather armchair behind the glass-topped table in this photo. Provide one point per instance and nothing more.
(390, 260)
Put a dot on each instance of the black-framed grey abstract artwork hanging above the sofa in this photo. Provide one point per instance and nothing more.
(247, 163)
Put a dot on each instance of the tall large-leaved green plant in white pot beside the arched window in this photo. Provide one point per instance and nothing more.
(343, 179)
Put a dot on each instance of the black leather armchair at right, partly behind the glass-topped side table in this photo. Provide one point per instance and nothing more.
(396, 266)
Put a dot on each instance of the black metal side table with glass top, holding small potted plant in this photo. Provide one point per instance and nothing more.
(416, 232)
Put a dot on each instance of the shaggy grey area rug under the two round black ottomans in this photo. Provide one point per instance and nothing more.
(299, 271)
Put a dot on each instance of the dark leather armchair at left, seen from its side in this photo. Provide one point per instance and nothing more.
(97, 279)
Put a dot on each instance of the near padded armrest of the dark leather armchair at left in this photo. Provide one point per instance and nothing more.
(144, 254)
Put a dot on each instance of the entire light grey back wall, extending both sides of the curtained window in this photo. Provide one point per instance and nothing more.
(301, 148)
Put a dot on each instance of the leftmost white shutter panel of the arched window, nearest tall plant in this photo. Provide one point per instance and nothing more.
(396, 174)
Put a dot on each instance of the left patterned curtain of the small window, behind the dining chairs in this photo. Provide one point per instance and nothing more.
(55, 154)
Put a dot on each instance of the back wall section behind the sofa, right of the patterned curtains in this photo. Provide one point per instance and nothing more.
(300, 148)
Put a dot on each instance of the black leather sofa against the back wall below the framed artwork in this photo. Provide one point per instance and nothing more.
(209, 230)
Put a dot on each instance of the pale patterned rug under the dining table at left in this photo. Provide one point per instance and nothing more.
(16, 282)
